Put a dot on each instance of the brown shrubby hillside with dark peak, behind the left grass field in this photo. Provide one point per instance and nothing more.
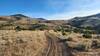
(27, 23)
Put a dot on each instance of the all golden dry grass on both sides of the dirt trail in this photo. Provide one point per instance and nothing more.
(32, 43)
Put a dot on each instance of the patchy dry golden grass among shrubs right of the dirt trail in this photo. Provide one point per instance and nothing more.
(78, 39)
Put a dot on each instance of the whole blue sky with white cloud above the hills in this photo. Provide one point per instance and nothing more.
(50, 9)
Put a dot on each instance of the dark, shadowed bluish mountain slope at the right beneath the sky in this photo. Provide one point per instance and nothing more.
(92, 21)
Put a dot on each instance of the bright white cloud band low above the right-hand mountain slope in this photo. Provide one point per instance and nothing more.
(66, 16)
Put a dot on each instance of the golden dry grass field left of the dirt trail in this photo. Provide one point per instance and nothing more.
(22, 43)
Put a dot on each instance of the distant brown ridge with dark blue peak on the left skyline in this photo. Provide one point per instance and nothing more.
(18, 18)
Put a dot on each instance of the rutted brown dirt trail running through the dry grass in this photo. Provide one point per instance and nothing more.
(55, 47)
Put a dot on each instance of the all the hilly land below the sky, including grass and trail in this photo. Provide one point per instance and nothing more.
(21, 35)
